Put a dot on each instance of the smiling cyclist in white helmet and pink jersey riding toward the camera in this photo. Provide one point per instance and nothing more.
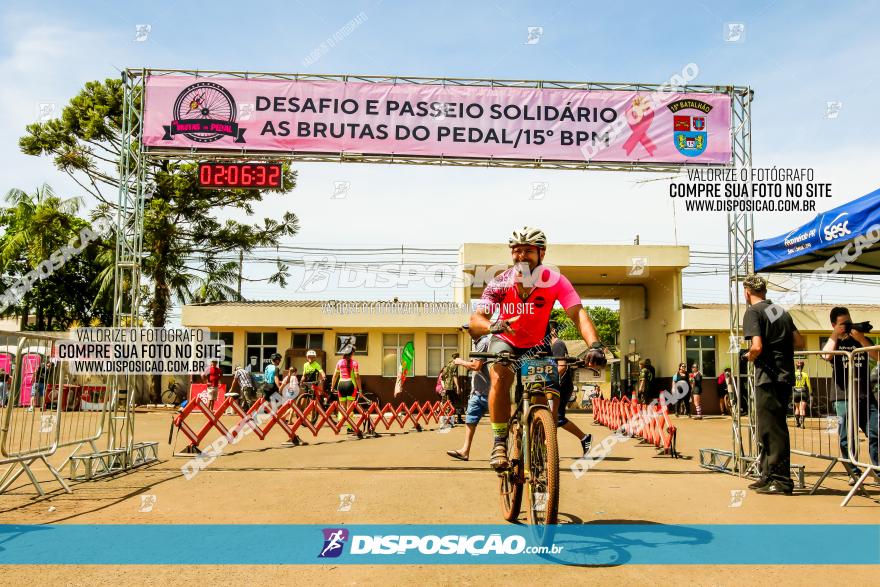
(523, 297)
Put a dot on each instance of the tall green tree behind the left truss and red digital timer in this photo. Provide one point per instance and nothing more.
(182, 232)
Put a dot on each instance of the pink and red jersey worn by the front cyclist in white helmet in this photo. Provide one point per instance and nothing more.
(534, 311)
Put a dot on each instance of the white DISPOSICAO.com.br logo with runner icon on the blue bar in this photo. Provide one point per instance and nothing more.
(451, 544)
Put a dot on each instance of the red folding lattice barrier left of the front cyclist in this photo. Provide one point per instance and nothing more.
(261, 418)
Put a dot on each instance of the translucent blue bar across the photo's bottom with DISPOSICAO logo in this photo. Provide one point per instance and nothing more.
(585, 544)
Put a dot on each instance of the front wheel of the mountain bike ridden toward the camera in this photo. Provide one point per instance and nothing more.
(544, 467)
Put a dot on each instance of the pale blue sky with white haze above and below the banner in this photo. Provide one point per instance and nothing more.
(797, 57)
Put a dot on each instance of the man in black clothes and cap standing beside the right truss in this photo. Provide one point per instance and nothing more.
(774, 339)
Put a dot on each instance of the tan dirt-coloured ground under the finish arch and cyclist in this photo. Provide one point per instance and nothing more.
(406, 477)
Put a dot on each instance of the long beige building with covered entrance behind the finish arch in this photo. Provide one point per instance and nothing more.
(647, 281)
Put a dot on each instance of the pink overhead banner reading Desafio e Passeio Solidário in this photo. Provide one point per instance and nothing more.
(437, 121)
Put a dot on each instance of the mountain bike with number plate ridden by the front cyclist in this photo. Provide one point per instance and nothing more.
(531, 438)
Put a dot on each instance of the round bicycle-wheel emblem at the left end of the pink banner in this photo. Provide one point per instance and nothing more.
(204, 112)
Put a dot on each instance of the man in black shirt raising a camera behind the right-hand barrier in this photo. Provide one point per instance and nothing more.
(846, 336)
